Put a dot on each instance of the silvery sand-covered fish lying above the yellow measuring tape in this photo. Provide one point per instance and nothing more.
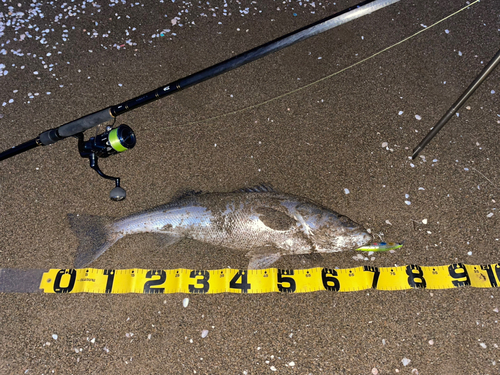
(259, 220)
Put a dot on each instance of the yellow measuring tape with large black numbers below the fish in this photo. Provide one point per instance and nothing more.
(91, 280)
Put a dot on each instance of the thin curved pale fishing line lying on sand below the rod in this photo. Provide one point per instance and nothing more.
(326, 77)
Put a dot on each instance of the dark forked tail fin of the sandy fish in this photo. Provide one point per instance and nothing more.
(95, 236)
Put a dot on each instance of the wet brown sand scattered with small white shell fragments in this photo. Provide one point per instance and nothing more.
(315, 143)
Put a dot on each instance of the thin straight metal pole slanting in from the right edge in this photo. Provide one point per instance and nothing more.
(456, 106)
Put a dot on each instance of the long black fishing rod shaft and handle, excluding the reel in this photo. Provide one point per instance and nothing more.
(80, 125)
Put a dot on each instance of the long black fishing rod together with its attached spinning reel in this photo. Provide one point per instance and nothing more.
(122, 138)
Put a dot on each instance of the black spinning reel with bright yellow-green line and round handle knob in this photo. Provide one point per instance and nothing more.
(111, 142)
